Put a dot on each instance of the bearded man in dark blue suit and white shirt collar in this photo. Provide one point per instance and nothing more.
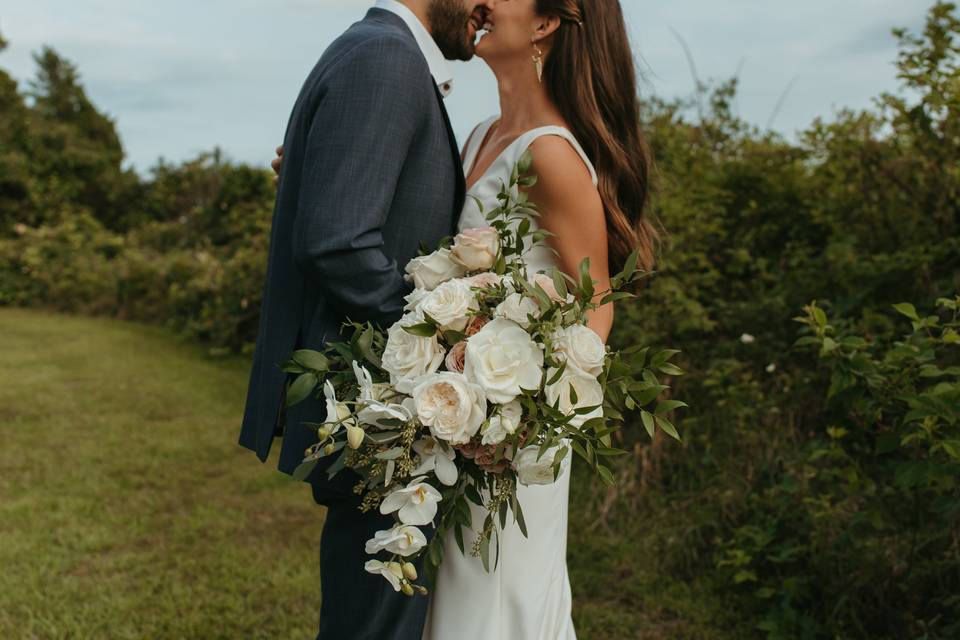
(370, 170)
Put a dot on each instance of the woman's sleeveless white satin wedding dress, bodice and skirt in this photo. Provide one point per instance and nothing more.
(528, 596)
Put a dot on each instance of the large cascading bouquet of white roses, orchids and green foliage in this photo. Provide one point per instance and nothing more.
(490, 379)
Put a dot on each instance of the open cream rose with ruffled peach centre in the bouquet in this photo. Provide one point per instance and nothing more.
(452, 406)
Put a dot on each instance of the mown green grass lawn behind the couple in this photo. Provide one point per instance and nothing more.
(127, 510)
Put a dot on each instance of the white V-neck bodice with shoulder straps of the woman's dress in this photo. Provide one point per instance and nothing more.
(488, 185)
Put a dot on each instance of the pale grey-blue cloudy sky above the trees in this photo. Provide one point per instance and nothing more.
(182, 76)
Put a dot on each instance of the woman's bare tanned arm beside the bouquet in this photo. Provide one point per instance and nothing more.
(571, 209)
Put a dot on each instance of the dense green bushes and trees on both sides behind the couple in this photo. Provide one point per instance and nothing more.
(816, 486)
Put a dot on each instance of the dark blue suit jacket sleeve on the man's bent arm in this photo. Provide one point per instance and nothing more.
(355, 151)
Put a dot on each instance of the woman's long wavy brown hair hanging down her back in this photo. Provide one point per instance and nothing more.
(589, 73)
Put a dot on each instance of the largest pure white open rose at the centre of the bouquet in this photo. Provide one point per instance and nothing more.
(504, 360)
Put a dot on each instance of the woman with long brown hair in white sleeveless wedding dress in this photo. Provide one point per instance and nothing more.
(567, 86)
